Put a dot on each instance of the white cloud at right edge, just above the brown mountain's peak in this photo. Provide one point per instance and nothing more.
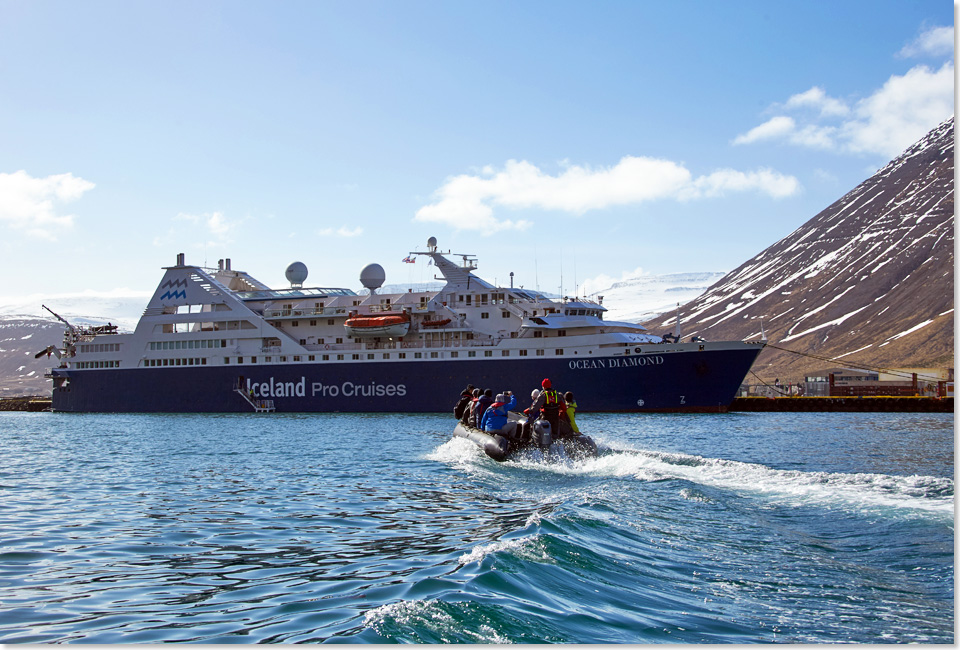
(885, 123)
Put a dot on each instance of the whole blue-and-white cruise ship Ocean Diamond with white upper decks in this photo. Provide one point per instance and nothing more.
(218, 340)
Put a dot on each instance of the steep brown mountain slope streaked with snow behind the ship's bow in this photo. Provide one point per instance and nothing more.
(867, 281)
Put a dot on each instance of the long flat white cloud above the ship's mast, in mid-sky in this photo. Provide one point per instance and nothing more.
(466, 202)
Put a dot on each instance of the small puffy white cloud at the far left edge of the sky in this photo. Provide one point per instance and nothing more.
(29, 204)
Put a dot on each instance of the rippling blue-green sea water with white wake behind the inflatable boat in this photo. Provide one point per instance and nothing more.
(743, 527)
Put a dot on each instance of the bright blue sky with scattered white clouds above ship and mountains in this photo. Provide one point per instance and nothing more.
(573, 143)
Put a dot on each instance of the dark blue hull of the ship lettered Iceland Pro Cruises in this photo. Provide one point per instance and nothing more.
(691, 381)
